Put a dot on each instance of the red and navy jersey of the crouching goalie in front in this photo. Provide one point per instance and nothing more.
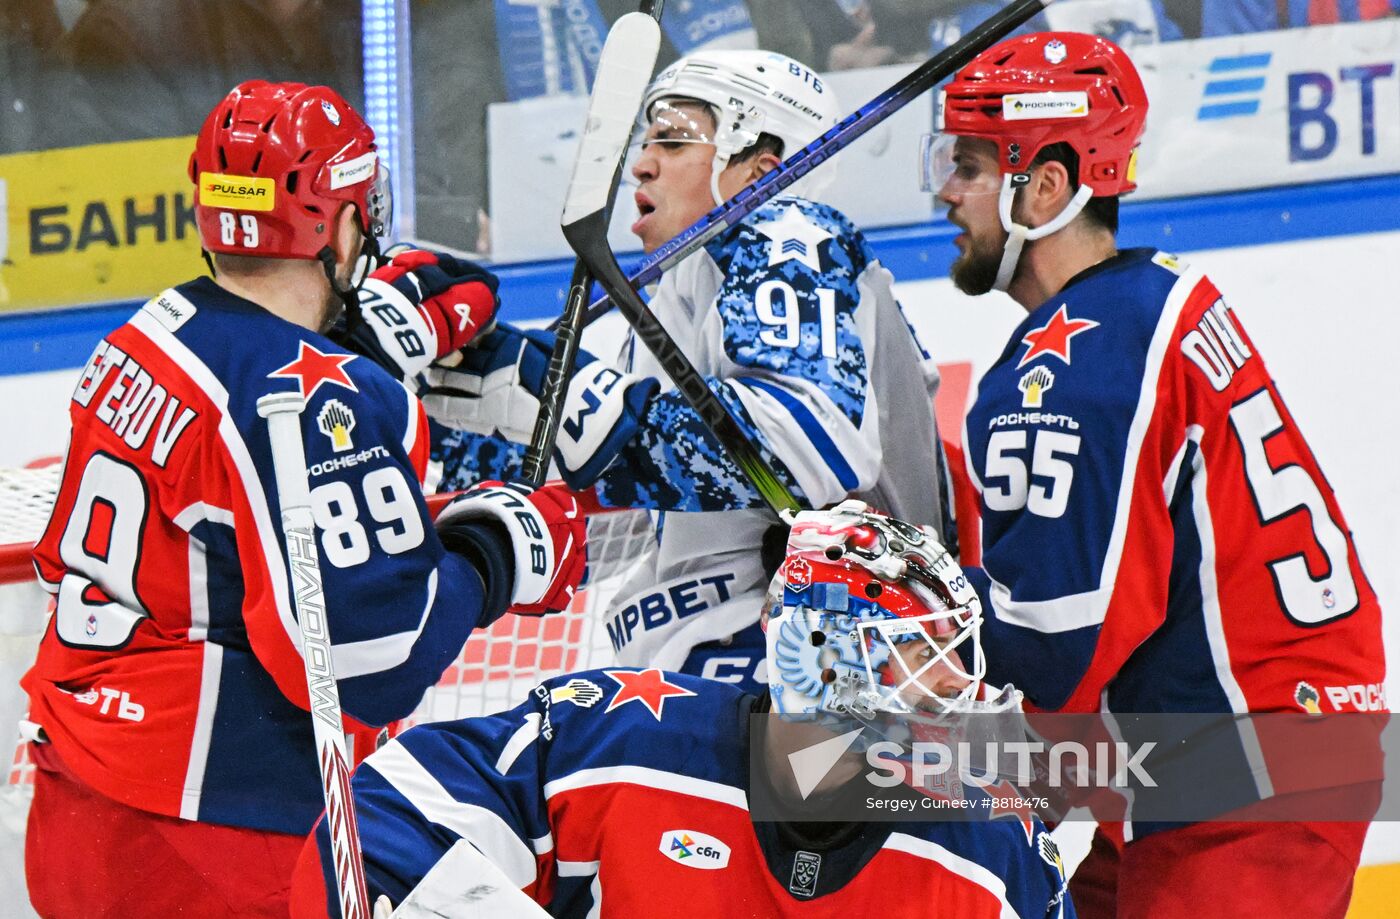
(624, 794)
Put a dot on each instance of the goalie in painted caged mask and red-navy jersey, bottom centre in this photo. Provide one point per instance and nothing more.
(629, 794)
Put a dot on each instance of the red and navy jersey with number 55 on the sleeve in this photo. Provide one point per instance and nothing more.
(1157, 534)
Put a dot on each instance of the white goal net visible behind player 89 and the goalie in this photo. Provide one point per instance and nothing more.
(496, 670)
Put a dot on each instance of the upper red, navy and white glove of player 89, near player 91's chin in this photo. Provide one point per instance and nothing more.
(421, 308)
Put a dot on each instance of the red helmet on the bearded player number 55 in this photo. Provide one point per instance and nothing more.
(1031, 92)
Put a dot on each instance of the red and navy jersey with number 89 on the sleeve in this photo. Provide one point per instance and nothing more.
(170, 677)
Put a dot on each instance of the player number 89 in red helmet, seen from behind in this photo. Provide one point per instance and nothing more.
(177, 773)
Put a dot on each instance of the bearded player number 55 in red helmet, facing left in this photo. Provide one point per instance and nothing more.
(1156, 533)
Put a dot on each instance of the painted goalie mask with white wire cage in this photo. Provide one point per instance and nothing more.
(871, 616)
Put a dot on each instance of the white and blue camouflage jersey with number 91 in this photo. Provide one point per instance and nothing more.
(785, 315)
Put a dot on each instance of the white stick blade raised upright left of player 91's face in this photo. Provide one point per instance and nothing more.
(624, 74)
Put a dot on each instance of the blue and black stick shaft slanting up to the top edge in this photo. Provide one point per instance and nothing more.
(853, 127)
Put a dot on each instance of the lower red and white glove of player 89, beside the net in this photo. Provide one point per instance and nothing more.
(548, 532)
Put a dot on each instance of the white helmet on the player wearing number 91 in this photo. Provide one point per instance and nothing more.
(752, 93)
